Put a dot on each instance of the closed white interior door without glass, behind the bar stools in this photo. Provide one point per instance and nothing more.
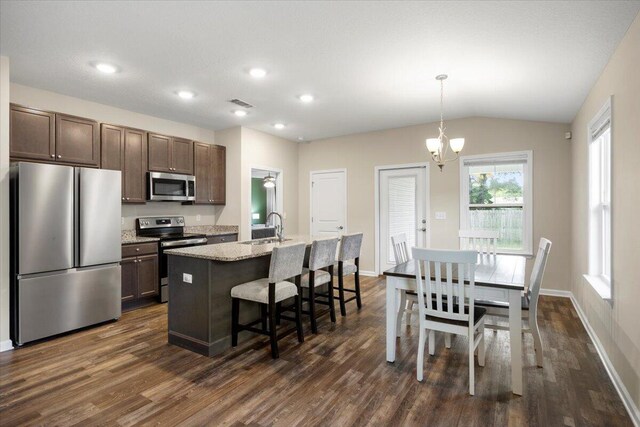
(328, 203)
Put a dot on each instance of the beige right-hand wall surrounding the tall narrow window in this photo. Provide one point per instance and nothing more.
(616, 324)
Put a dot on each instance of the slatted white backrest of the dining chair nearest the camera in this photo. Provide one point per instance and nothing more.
(430, 263)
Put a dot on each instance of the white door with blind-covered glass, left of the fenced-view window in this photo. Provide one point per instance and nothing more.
(402, 209)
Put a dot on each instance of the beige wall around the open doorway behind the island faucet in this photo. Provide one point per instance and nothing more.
(263, 150)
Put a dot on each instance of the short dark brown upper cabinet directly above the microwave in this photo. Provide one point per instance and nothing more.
(170, 154)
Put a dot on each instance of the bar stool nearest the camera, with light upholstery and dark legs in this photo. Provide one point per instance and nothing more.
(286, 262)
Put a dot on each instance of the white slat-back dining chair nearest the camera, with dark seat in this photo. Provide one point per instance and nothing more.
(463, 318)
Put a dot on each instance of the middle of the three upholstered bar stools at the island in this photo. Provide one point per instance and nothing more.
(322, 256)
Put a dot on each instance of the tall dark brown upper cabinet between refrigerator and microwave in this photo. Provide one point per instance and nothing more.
(125, 150)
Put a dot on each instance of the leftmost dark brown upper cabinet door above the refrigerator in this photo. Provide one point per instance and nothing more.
(32, 134)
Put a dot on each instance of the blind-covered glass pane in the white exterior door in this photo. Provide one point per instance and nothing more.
(402, 210)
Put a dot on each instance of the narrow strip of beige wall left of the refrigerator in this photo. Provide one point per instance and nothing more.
(4, 206)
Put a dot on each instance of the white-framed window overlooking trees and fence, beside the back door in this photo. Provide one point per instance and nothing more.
(496, 194)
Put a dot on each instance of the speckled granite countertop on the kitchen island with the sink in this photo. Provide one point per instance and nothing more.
(236, 251)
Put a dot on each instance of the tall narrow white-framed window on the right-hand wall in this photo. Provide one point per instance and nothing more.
(599, 133)
